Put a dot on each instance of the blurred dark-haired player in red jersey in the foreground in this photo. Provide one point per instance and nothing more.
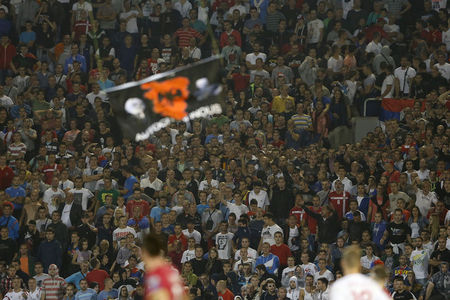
(162, 280)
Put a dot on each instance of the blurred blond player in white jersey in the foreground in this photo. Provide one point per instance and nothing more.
(354, 285)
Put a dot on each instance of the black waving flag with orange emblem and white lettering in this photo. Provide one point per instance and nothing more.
(142, 108)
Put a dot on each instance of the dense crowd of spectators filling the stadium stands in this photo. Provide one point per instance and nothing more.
(252, 203)
